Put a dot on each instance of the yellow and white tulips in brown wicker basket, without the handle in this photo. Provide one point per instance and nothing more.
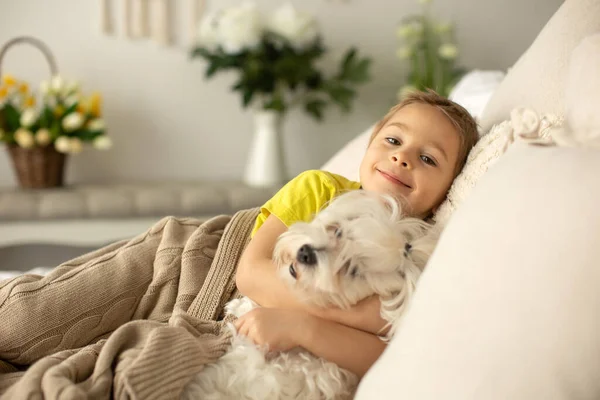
(38, 138)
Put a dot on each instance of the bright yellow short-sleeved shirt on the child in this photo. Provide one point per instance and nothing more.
(304, 196)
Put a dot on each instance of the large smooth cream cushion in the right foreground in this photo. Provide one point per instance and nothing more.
(508, 307)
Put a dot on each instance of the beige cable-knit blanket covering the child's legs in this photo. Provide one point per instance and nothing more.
(134, 320)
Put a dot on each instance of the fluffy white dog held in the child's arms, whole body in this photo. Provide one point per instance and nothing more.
(357, 247)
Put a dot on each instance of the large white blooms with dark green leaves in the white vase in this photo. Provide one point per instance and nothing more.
(276, 59)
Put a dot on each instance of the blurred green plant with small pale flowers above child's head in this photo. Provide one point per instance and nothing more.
(429, 48)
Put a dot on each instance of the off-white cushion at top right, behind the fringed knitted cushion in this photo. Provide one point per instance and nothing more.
(537, 79)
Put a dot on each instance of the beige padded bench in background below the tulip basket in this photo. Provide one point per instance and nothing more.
(46, 227)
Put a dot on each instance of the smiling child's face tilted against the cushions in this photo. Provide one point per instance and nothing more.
(413, 157)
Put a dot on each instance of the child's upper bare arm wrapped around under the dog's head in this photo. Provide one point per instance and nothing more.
(257, 278)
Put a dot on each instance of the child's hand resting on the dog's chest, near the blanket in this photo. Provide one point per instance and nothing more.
(278, 329)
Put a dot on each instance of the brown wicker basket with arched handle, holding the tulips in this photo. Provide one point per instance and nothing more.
(38, 167)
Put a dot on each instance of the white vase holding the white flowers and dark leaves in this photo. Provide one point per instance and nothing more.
(265, 166)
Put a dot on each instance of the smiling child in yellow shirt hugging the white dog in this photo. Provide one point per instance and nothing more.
(414, 154)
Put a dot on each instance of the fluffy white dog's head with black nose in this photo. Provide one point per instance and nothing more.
(352, 249)
